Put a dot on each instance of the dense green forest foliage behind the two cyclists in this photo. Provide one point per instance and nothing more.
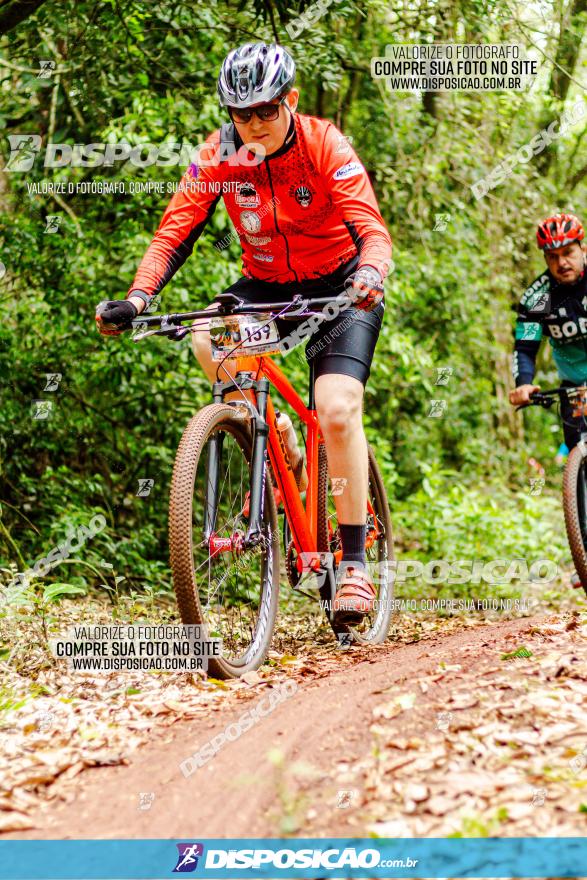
(146, 72)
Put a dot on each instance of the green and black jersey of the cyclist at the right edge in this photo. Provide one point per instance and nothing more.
(558, 311)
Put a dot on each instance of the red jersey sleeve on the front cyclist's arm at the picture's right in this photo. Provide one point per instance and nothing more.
(347, 181)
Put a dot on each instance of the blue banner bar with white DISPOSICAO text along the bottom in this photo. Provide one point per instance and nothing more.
(275, 858)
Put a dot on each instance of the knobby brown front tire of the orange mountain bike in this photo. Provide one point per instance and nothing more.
(188, 459)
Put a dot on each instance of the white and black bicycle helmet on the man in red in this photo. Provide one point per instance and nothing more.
(255, 73)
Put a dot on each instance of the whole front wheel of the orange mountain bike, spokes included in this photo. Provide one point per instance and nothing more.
(230, 591)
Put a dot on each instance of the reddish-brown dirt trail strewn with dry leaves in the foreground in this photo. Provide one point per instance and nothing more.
(307, 768)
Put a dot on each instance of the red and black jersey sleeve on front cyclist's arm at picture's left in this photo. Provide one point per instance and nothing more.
(183, 222)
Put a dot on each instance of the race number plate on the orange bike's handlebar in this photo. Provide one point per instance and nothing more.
(236, 336)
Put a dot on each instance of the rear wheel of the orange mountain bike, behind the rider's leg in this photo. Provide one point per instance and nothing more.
(374, 627)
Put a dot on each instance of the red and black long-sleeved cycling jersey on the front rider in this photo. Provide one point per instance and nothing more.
(300, 213)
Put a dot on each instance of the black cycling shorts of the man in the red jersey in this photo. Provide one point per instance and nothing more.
(344, 345)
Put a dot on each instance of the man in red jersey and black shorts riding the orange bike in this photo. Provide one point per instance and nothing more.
(308, 222)
